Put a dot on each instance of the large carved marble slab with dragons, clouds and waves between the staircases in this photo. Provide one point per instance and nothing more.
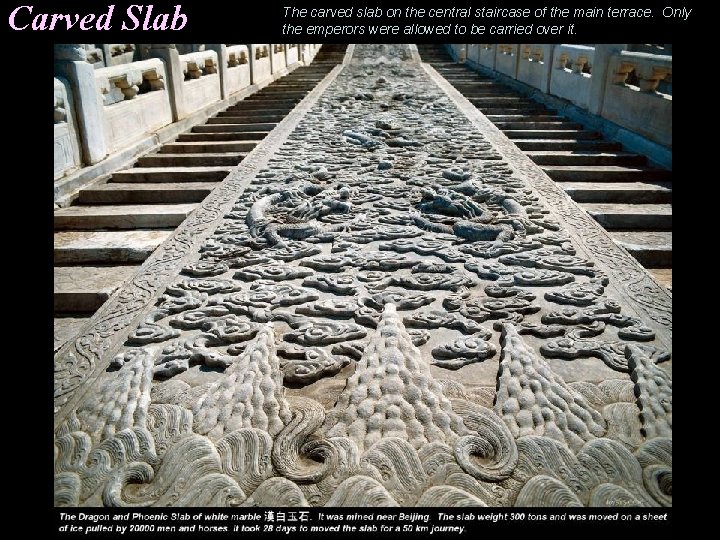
(392, 316)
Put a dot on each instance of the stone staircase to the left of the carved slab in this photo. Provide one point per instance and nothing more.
(114, 226)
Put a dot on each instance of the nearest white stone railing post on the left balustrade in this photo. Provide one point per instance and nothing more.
(71, 63)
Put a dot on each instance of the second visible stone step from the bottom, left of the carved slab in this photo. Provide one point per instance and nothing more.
(83, 289)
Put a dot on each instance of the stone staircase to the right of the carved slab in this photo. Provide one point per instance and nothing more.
(631, 199)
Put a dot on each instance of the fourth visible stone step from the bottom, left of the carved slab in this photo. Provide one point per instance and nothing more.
(127, 216)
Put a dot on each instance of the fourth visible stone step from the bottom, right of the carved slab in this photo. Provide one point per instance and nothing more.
(619, 192)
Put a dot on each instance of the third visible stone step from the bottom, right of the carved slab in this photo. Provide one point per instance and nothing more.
(631, 216)
